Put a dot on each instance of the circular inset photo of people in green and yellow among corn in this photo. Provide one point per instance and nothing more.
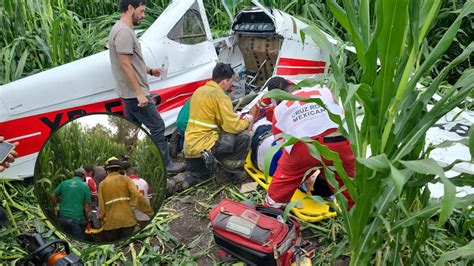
(100, 178)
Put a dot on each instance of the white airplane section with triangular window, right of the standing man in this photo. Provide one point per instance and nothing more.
(182, 37)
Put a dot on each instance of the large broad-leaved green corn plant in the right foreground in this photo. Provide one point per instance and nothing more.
(390, 222)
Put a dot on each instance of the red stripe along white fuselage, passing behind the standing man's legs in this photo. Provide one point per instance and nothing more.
(46, 122)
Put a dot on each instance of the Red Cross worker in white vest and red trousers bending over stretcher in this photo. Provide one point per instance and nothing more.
(307, 120)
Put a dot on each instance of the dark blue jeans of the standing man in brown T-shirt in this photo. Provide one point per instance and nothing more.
(149, 116)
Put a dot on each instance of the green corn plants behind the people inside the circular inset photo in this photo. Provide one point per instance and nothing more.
(74, 146)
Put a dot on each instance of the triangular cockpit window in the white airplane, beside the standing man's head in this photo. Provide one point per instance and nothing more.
(189, 29)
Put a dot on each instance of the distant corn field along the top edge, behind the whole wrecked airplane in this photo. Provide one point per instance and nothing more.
(37, 35)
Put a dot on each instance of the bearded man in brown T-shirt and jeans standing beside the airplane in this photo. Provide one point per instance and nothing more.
(130, 73)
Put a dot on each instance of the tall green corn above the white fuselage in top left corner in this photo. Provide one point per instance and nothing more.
(37, 35)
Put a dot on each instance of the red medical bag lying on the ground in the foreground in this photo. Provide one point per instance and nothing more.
(257, 235)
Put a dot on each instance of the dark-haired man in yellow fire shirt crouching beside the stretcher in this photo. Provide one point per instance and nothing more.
(214, 131)
